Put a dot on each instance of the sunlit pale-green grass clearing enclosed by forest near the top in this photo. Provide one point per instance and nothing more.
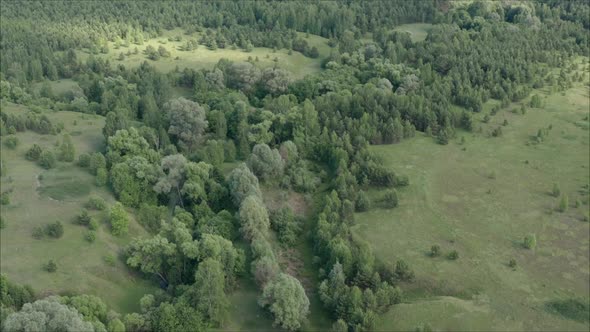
(202, 57)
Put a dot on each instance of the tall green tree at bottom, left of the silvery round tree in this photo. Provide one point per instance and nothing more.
(208, 294)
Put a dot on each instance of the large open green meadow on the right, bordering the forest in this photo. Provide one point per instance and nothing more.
(481, 198)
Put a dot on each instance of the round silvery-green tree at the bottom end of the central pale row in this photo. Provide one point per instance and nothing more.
(285, 298)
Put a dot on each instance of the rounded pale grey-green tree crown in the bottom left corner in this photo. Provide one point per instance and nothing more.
(47, 315)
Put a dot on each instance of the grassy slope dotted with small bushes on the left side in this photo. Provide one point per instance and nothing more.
(81, 265)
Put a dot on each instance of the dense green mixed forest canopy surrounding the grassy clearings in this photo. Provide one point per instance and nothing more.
(164, 155)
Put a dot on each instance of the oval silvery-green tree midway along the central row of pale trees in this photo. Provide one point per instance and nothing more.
(253, 217)
